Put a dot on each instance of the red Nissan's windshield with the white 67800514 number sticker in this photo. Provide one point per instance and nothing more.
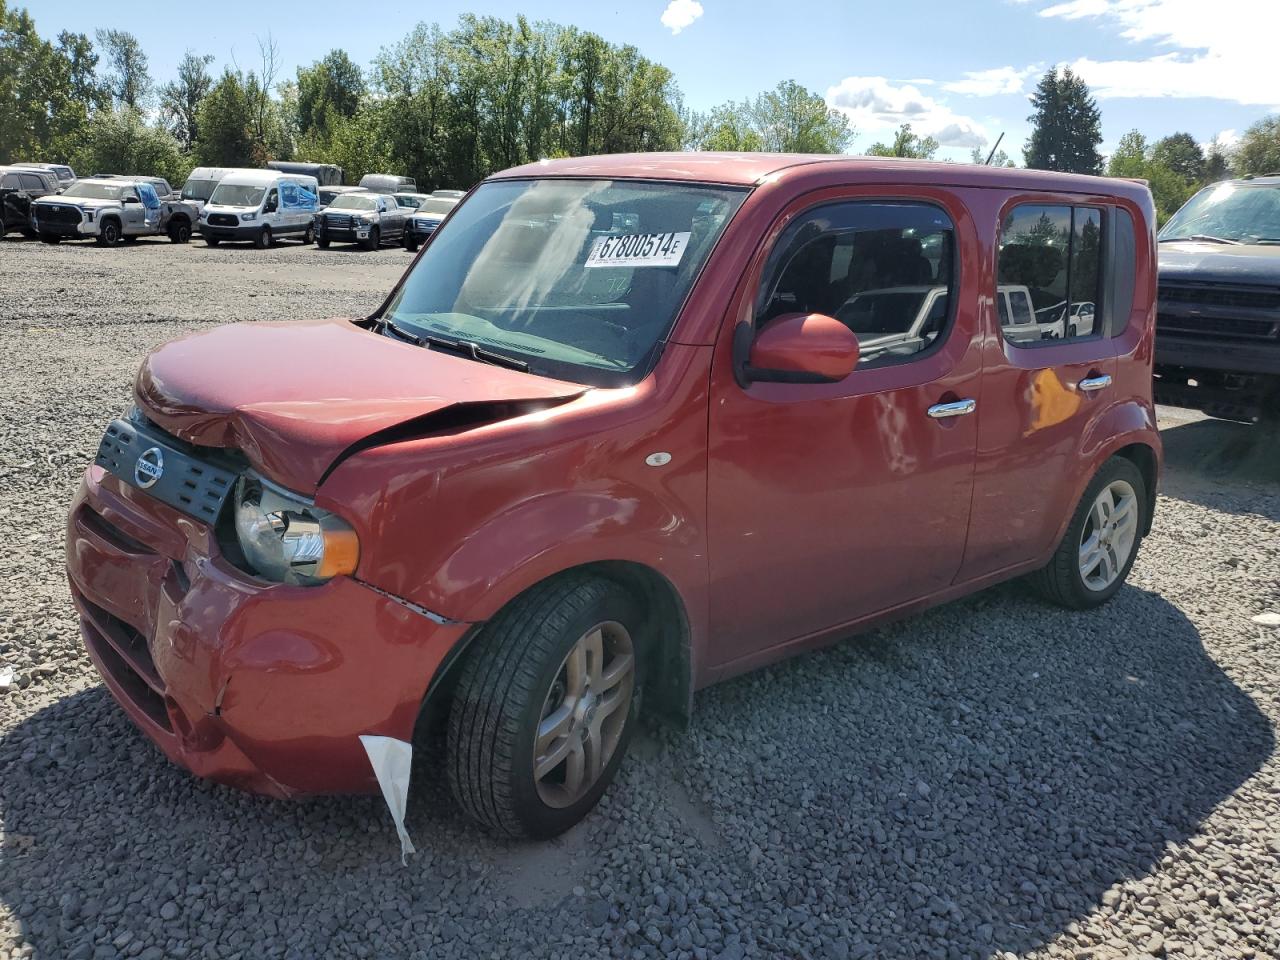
(583, 280)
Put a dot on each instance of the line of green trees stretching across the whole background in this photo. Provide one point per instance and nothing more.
(450, 107)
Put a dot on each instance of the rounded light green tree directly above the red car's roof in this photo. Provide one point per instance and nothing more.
(785, 120)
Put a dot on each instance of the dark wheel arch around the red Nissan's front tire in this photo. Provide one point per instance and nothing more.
(669, 651)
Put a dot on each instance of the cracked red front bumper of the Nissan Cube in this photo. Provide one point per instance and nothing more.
(263, 687)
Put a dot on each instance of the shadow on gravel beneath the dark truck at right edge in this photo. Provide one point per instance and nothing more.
(1203, 456)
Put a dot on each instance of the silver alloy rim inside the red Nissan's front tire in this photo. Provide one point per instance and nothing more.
(584, 715)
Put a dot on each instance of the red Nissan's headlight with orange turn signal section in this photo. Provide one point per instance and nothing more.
(289, 540)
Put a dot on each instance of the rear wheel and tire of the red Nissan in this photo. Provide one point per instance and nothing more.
(1101, 542)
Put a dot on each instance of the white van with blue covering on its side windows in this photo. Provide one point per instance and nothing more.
(260, 207)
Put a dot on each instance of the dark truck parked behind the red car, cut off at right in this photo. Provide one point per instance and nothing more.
(1218, 330)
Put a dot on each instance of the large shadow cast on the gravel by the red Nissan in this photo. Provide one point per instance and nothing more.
(967, 783)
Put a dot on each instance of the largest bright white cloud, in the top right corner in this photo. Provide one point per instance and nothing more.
(1224, 53)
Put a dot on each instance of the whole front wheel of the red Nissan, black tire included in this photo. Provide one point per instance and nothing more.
(546, 707)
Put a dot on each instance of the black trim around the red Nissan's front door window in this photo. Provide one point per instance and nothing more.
(770, 275)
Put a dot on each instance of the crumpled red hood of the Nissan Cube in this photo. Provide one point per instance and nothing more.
(295, 397)
